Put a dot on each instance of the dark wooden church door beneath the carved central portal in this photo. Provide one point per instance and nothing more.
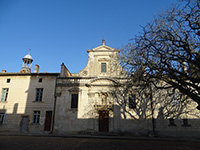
(103, 121)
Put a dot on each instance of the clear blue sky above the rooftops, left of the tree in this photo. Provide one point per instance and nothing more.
(59, 31)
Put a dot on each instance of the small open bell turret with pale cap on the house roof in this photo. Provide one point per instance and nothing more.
(27, 62)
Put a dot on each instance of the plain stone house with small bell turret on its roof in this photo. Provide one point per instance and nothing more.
(27, 99)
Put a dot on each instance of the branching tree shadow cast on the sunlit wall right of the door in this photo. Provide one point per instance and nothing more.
(138, 101)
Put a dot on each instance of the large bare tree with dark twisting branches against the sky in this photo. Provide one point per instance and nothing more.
(168, 49)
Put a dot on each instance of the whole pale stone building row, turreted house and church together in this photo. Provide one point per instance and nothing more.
(67, 103)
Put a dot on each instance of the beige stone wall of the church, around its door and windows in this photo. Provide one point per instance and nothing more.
(92, 85)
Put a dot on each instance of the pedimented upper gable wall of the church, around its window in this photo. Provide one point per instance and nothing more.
(102, 54)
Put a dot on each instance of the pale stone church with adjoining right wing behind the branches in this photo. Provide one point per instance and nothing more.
(96, 100)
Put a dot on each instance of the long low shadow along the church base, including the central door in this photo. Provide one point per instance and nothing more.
(104, 123)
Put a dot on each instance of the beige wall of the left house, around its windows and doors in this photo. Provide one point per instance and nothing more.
(21, 100)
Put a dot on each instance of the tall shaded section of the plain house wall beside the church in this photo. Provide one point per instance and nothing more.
(40, 104)
